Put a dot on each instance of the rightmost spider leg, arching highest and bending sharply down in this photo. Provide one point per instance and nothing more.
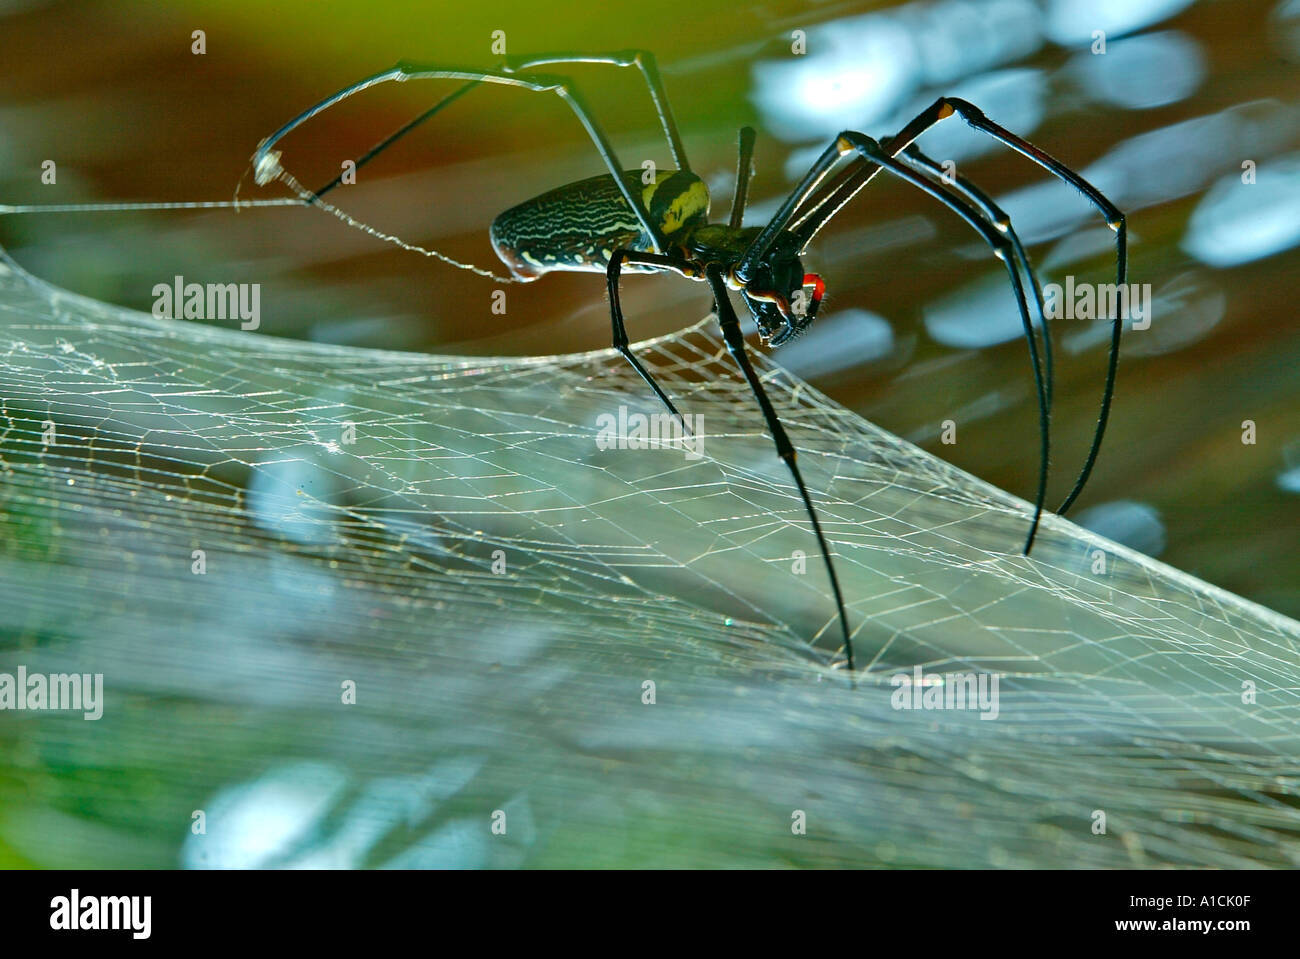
(944, 107)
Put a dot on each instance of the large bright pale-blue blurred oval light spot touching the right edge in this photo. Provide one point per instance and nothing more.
(1237, 223)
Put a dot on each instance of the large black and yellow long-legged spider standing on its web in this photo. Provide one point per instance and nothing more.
(617, 223)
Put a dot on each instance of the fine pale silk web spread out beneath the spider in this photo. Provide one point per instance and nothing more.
(371, 559)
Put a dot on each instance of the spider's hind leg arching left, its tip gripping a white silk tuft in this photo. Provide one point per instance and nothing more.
(266, 163)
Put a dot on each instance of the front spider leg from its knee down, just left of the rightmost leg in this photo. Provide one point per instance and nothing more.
(1003, 249)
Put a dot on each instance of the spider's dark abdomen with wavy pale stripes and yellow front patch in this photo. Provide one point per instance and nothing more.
(580, 225)
